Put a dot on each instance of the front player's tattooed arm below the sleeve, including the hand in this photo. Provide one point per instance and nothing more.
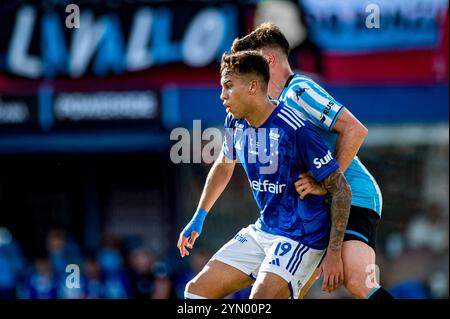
(332, 265)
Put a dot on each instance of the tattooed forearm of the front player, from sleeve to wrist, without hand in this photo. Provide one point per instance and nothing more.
(341, 194)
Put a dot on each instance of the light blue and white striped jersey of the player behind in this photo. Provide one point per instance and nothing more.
(321, 109)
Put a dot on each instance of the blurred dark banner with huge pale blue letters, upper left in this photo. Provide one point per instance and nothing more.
(96, 39)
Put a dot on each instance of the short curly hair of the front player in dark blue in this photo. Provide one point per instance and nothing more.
(245, 62)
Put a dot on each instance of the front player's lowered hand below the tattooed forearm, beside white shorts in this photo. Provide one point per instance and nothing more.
(333, 271)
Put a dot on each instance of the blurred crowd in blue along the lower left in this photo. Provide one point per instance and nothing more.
(118, 270)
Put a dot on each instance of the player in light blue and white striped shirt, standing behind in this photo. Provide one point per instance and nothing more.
(343, 134)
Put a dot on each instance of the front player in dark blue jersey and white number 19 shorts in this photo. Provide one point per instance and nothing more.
(284, 247)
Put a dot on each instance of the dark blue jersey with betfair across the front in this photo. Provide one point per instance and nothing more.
(273, 156)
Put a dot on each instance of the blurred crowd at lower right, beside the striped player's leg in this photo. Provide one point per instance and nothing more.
(417, 255)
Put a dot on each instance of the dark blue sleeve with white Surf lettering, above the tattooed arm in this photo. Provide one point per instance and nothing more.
(314, 153)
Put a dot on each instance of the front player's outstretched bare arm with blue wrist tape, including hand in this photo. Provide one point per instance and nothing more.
(218, 178)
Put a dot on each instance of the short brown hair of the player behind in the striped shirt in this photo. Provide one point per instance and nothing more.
(265, 35)
